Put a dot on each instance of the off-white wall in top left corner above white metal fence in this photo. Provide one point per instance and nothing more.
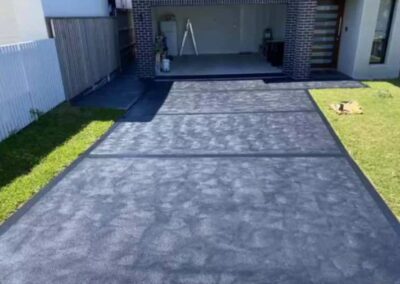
(21, 21)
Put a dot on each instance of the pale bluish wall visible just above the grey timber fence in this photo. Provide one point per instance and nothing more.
(75, 8)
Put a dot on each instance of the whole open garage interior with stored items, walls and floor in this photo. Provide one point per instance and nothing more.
(231, 40)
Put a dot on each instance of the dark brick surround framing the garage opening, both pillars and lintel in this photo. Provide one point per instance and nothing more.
(298, 38)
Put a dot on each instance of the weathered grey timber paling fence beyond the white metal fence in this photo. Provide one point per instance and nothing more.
(88, 50)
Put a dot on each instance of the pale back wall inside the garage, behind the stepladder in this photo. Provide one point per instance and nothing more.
(226, 29)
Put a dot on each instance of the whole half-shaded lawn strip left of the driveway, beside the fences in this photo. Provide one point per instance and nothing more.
(33, 157)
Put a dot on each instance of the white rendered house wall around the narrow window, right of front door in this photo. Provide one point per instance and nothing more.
(357, 36)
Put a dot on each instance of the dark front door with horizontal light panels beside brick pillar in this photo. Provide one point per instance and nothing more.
(328, 22)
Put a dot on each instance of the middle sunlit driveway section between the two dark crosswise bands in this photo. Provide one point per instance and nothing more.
(250, 133)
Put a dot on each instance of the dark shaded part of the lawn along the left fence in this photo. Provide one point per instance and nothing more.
(20, 153)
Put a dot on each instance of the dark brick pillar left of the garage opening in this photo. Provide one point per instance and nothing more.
(142, 15)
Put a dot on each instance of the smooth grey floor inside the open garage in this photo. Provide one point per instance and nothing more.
(220, 64)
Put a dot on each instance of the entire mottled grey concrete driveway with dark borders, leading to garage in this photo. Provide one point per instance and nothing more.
(209, 182)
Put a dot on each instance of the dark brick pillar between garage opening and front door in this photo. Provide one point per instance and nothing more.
(299, 36)
